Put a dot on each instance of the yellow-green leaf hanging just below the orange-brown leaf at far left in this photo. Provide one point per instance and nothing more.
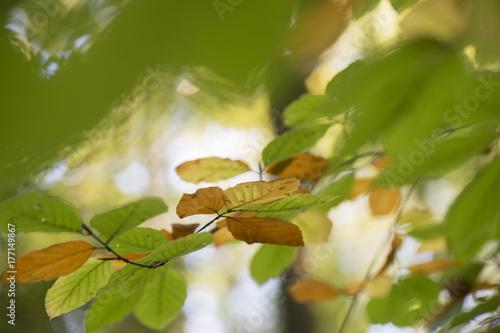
(76, 289)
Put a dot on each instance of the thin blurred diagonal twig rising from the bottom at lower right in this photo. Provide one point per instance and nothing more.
(369, 275)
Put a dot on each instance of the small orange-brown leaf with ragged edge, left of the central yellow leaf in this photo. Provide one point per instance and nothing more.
(204, 201)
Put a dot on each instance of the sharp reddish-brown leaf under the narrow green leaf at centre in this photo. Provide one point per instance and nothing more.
(265, 230)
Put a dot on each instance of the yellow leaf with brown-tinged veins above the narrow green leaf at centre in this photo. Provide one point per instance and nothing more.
(259, 193)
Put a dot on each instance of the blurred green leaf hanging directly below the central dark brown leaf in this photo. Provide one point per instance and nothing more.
(271, 261)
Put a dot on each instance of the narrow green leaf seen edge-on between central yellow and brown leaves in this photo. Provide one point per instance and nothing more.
(294, 201)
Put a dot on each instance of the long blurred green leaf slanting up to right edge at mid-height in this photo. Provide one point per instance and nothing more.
(433, 158)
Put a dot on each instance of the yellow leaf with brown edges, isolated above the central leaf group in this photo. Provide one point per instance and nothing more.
(211, 169)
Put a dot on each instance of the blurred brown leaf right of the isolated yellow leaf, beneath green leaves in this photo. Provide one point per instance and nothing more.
(300, 166)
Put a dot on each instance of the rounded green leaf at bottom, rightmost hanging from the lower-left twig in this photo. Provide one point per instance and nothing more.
(161, 300)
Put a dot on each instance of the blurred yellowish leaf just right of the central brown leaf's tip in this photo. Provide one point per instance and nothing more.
(315, 226)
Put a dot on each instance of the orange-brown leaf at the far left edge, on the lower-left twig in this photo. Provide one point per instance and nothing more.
(52, 262)
